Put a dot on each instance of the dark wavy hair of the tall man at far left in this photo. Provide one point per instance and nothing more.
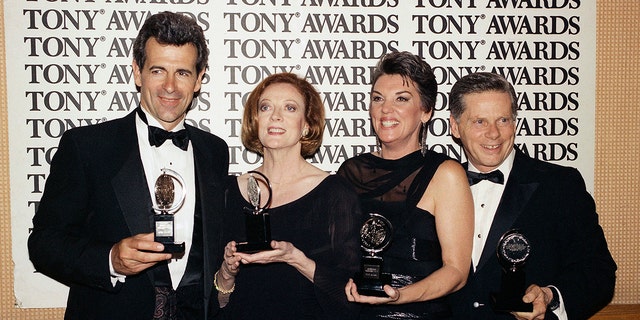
(172, 29)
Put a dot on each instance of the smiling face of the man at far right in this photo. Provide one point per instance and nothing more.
(486, 129)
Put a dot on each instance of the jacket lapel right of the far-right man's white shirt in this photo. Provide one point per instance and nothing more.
(516, 195)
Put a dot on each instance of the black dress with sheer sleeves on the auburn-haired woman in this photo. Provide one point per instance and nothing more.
(324, 224)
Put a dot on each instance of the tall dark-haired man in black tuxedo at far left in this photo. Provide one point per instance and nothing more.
(93, 230)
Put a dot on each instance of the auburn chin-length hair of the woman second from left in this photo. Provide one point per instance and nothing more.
(313, 114)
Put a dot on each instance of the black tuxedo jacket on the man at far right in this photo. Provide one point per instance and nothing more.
(550, 206)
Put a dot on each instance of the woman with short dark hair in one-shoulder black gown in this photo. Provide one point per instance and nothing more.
(425, 195)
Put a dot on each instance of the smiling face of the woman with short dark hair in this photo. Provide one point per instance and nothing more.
(396, 112)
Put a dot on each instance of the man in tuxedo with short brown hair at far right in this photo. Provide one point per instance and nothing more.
(570, 273)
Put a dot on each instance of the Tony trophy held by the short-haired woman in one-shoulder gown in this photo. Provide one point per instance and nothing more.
(375, 236)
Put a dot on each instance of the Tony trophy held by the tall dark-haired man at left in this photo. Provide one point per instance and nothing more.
(166, 205)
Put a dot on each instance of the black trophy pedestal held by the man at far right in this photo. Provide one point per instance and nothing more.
(512, 290)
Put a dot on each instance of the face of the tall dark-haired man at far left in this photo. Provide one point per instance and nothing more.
(167, 81)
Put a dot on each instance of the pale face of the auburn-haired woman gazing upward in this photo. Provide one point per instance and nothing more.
(281, 120)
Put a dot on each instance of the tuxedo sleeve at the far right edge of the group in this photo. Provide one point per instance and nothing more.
(587, 276)
